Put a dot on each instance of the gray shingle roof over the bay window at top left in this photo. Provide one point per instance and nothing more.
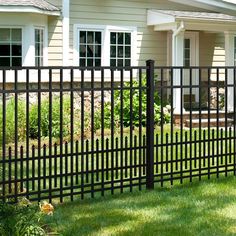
(40, 4)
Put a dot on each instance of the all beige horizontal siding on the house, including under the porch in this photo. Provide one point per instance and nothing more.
(150, 44)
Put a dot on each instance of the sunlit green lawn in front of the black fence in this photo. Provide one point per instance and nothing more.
(205, 208)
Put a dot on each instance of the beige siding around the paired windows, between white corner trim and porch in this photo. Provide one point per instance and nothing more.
(150, 44)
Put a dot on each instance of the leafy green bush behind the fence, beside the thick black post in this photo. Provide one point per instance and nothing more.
(136, 99)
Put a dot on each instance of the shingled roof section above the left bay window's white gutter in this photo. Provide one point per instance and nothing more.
(40, 5)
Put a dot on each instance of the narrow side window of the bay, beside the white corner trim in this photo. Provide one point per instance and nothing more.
(38, 47)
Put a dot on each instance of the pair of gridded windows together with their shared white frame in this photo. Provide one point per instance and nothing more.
(105, 46)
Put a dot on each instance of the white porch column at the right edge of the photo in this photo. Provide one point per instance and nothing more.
(229, 61)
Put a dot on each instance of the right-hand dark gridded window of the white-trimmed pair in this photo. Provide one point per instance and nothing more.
(120, 49)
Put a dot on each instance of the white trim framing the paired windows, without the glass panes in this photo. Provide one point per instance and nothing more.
(105, 29)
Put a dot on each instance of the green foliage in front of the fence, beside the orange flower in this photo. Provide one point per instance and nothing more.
(21, 219)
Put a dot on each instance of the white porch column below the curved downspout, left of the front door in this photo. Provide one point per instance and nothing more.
(177, 60)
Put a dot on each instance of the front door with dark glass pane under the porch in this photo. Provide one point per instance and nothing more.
(191, 58)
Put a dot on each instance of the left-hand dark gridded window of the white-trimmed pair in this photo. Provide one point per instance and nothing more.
(90, 48)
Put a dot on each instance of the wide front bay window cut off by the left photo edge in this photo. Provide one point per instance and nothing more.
(10, 47)
